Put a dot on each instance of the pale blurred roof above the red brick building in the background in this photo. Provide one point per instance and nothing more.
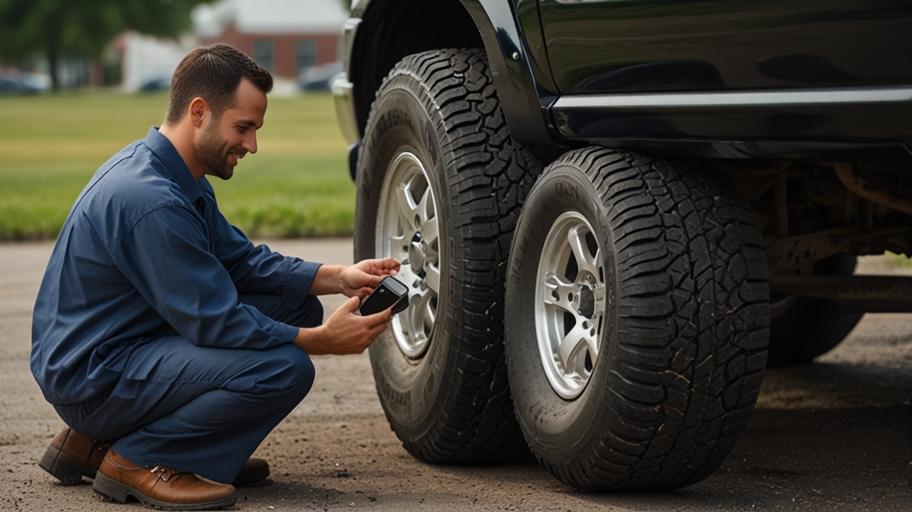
(271, 16)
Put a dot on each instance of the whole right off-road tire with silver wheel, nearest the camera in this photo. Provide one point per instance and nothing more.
(636, 322)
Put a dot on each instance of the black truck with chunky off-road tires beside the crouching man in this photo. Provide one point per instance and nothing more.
(613, 215)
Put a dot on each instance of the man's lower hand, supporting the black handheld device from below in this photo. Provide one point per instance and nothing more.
(344, 332)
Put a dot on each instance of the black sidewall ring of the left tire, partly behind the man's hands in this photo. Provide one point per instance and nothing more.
(413, 390)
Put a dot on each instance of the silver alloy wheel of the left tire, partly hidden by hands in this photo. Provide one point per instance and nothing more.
(407, 230)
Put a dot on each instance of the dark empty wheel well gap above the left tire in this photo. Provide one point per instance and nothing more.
(393, 29)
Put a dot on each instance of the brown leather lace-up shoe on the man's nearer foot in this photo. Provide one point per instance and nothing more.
(159, 487)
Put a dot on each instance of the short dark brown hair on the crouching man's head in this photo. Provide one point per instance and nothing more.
(214, 74)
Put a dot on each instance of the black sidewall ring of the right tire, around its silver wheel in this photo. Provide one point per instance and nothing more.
(557, 429)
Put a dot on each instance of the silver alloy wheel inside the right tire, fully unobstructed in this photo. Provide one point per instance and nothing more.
(570, 304)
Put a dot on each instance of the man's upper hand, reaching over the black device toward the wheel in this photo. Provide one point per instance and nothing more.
(358, 280)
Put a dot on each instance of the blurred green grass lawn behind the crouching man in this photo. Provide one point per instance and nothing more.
(50, 145)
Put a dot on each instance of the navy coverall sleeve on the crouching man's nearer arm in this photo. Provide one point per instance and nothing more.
(165, 257)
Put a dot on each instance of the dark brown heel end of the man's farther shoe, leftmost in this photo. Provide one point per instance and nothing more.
(72, 456)
